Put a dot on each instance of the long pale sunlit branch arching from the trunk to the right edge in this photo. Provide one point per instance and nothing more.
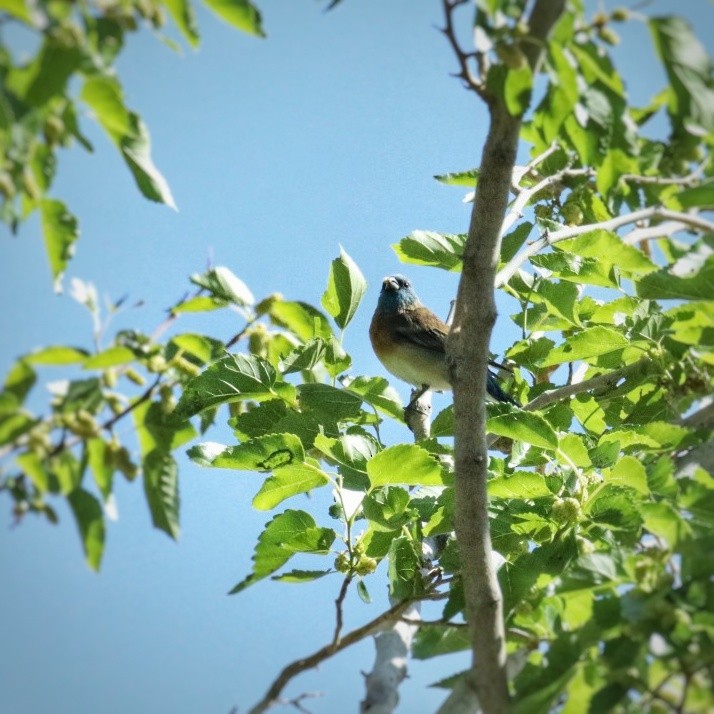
(687, 219)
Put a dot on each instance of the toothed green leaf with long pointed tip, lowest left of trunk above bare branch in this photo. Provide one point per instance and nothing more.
(288, 533)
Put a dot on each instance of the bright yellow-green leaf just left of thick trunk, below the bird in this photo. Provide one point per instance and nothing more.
(406, 464)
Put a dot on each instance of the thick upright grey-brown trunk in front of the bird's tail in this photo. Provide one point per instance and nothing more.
(468, 351)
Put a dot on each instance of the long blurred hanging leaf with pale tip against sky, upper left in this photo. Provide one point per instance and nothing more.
(104, 96)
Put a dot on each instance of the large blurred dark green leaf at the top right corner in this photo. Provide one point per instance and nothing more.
(688, 68)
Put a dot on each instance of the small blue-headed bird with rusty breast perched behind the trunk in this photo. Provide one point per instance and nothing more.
(410, 341)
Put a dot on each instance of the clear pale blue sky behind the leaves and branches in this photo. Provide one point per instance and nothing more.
(277, 151)
